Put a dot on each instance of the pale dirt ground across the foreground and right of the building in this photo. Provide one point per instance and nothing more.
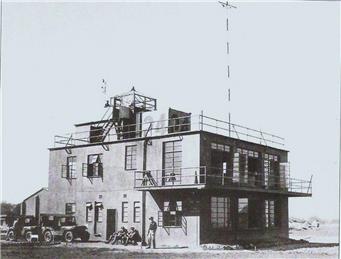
(323, 245)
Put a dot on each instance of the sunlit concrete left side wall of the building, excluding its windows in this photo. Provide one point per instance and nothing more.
(117, 184)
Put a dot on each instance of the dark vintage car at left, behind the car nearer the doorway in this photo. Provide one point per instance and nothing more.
(23, 227)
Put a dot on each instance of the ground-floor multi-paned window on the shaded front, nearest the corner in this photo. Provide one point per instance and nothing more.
(220, 212)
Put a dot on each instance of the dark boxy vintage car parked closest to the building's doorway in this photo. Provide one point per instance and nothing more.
(56, 226)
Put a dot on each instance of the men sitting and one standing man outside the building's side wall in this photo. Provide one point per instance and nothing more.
(132, 236)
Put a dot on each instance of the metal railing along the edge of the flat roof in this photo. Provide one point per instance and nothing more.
(168, 127)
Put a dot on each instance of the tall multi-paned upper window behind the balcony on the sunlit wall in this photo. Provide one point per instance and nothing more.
(172, 162)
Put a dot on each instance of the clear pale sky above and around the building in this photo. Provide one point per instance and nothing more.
(285, 78)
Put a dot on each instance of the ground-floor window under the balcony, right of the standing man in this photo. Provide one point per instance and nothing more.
(172, 213)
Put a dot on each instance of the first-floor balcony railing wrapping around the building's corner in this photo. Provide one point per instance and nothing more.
(200, 177)
